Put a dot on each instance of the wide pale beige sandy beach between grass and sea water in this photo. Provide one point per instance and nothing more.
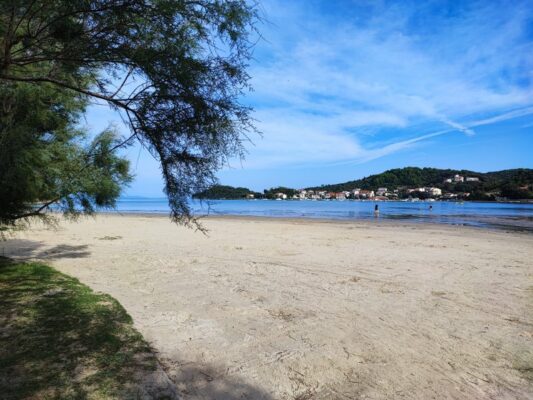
(299, 309)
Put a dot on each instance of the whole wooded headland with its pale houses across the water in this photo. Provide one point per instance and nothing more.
(403, 184)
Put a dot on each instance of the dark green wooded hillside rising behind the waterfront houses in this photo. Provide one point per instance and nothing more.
(509, 183)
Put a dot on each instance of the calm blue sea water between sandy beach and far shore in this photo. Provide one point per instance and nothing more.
(493, 215)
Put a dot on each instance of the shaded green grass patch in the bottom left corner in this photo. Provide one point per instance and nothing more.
(61, 340)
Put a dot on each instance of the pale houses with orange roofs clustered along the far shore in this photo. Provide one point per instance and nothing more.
(429, 193)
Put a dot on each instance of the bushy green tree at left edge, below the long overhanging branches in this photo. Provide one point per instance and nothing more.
(42, 160)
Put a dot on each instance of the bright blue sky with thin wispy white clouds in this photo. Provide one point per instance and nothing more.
(346, 89)
